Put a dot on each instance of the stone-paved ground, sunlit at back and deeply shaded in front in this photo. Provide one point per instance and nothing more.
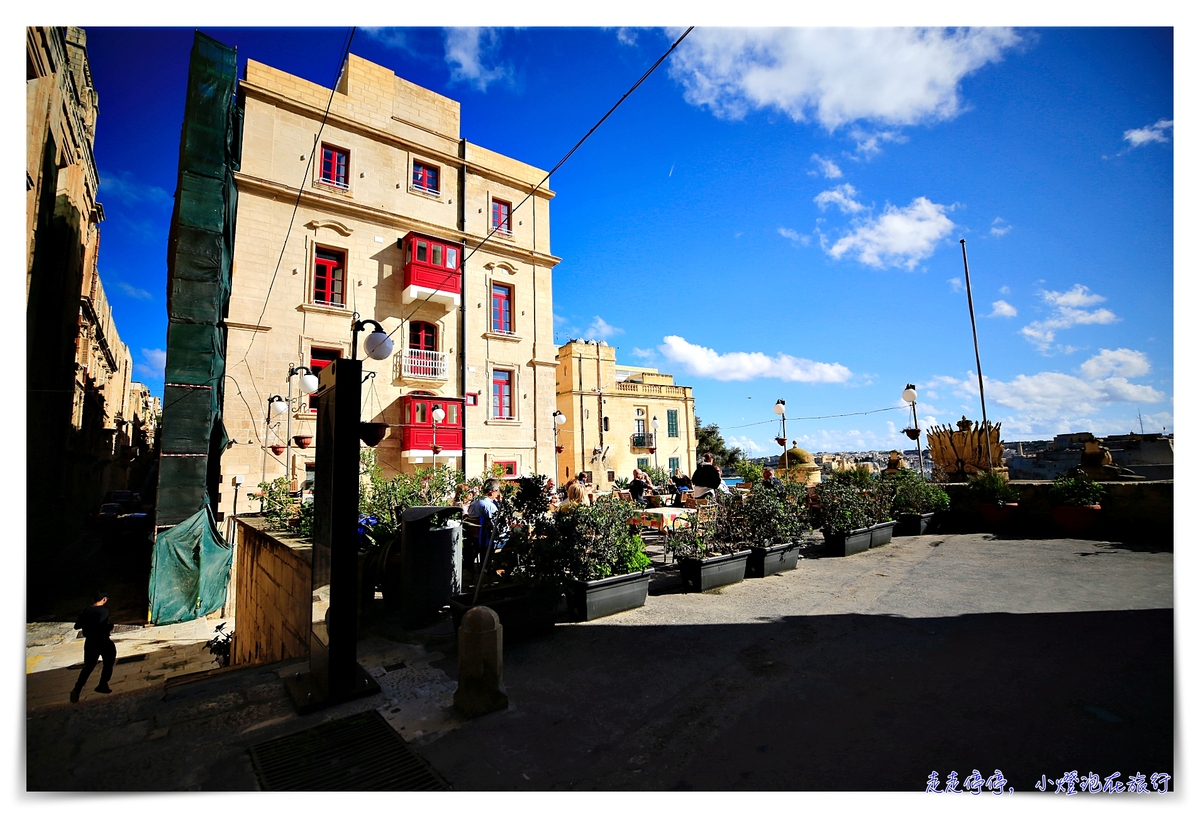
(862, 673)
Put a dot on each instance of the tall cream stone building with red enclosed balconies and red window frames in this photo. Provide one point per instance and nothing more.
(392, 210)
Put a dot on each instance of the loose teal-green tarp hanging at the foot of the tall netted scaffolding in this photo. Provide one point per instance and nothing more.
(190, 570)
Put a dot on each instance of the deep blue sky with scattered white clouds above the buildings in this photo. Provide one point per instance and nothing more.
(777, 213)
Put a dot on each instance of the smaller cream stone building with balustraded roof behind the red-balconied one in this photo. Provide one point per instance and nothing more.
(620, 418)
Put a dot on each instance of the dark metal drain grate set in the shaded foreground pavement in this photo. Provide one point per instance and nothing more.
(361, 753)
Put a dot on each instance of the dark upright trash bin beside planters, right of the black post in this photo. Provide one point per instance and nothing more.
(430, 560)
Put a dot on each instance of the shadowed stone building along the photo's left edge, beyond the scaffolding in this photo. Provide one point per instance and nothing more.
(77, 369)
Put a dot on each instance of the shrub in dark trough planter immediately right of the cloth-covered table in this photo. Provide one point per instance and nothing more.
(709, 550)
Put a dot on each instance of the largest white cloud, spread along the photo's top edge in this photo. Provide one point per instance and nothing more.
(836, 76)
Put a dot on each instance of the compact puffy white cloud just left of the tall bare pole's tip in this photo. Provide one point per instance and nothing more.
(901, 238)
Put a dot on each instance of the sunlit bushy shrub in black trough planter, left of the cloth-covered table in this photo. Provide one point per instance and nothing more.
(607, 566)
